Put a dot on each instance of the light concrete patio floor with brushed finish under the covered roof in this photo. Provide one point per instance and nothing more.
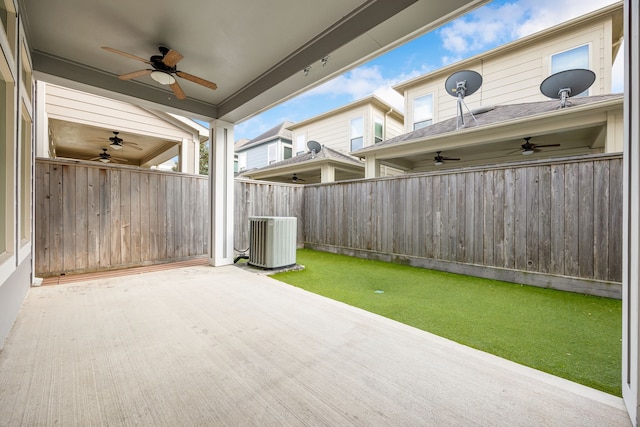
(204, 346)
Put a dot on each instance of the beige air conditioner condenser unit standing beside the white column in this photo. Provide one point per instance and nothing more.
(272, 241)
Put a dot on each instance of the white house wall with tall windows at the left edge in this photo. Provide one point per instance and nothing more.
(17, 153)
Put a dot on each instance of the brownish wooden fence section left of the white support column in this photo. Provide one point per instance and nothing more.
(92, 217)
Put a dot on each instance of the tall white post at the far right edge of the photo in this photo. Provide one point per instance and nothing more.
(631, 214)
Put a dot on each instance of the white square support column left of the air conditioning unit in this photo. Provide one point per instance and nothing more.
(221, 193)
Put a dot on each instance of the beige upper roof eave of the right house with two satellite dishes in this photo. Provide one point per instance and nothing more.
(568, 26)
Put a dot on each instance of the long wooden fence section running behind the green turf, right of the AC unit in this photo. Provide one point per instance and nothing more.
(560, 218)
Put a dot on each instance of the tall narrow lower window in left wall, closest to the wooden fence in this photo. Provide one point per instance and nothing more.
(25, 176)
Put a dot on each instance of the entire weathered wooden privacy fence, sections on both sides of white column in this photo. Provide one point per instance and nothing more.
(547, 223)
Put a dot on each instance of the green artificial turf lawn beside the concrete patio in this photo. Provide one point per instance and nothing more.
(574, 336)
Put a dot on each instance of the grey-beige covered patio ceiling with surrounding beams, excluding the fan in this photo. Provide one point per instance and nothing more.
(254, 51)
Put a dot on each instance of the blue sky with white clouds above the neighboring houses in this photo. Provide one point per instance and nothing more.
(497, 23)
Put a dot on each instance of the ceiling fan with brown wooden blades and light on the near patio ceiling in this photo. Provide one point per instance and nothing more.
(163, 70)
